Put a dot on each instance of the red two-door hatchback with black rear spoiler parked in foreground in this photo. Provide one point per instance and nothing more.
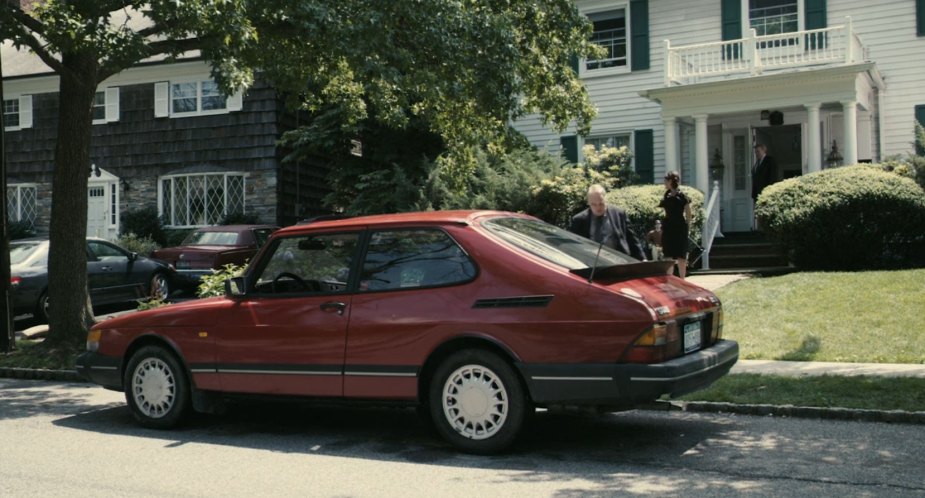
(478, 317)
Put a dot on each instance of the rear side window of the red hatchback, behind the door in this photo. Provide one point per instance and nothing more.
(402, 259)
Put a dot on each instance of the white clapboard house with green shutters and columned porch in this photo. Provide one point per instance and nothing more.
(685, 79)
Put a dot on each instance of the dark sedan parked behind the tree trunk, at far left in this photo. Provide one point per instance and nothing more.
(114, 275)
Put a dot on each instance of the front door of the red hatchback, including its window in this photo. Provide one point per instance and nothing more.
(288, 332)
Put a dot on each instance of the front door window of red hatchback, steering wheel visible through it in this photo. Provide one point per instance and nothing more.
(308, 264)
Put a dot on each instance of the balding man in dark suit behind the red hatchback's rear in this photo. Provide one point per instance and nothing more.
(606, 224)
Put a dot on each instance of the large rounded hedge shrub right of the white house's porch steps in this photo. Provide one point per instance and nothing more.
(855, 217)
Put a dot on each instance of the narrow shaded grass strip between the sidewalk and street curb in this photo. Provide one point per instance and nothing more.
(869, 393)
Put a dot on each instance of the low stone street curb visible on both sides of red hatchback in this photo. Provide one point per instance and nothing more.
(762, 410)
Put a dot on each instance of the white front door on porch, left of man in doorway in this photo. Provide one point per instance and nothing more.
(737, 215)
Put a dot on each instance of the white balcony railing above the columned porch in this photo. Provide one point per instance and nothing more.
(753, 55)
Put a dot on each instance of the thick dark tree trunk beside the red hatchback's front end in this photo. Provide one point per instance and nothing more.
(70, 313)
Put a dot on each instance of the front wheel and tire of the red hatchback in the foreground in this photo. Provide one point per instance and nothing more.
(156, 388)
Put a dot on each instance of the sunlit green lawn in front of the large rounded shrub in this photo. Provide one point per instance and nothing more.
(874, 316)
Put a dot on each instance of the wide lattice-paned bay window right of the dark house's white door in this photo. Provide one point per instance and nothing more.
(202, 199)
